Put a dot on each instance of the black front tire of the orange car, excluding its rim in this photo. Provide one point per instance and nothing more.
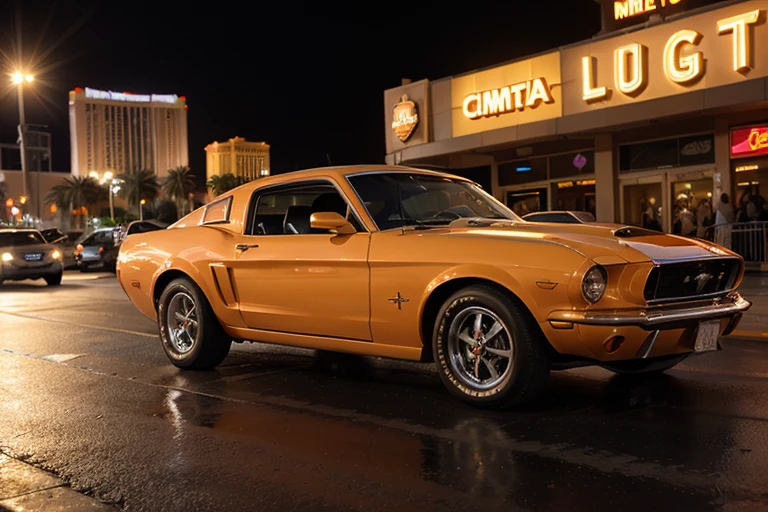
(453, 306)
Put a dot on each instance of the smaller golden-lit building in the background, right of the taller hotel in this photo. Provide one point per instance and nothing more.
(237, 156)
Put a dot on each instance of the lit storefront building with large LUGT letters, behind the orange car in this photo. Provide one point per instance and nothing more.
(647, 123)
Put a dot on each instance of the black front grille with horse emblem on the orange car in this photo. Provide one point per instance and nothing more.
(691, 279)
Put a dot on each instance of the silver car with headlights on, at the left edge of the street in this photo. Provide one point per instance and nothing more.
(24, 254)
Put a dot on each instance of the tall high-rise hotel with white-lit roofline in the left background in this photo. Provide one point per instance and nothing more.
(125, 132)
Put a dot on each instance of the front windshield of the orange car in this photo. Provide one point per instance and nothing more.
(400, 199)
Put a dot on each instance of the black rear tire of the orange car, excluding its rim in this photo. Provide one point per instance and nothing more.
(188, 359)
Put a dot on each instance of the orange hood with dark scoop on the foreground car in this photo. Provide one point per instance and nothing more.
(603, 243)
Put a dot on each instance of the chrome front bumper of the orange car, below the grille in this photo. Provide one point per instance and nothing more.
(661, 317)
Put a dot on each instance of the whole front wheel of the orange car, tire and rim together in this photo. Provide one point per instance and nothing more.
(489, 350)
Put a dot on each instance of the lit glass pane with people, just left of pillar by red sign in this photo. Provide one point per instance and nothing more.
(692, 213)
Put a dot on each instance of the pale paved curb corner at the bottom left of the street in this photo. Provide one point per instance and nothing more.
(24, 487)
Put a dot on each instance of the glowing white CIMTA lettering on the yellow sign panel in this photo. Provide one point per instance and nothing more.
(519, 96)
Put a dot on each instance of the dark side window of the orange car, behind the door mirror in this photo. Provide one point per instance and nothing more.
(287, 210)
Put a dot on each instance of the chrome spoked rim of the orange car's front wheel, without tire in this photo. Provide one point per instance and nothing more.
(480, 349)
